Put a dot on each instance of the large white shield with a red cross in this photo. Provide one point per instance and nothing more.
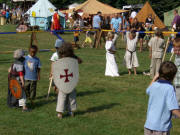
(65, 73)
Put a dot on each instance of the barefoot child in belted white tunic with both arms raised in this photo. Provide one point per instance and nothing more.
(130, 57)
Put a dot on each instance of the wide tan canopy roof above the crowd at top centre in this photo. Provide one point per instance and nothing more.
(93, 6)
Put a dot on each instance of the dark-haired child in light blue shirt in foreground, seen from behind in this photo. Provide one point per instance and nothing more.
(162, 101)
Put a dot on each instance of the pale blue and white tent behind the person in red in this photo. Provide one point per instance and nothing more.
(41, 13)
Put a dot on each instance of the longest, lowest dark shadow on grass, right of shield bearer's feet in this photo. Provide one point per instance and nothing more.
(97, 108)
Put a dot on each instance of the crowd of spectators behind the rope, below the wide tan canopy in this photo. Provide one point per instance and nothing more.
(117, 23)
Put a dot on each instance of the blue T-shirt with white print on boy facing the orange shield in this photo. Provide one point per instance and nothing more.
(31, 65)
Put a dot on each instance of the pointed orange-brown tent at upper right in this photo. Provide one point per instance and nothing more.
(145, 12)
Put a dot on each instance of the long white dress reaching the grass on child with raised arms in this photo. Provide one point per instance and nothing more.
(111, 66)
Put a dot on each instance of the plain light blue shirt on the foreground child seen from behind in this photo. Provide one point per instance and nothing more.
(162, 100)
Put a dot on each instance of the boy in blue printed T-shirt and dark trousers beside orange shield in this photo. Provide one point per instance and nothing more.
(32, 67)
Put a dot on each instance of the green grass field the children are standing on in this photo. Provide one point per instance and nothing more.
(106, 106)
